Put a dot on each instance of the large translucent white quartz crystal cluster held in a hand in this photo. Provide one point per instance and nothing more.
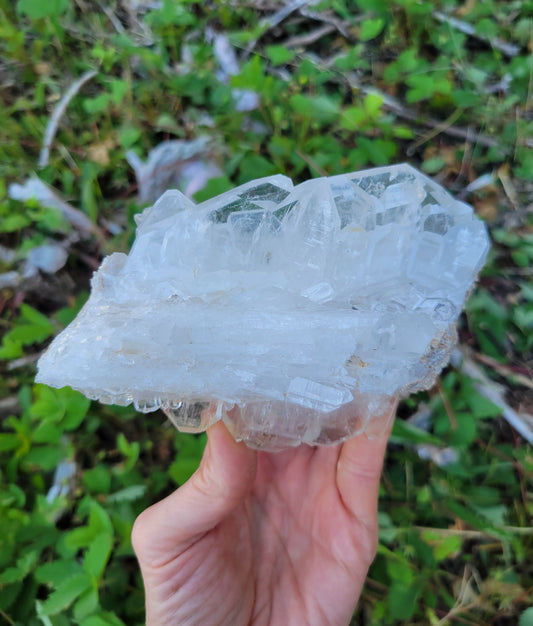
(296, 314)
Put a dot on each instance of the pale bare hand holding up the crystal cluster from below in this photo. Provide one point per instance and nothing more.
(263, 538)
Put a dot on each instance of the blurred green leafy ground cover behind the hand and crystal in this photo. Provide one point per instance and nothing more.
(387, 82)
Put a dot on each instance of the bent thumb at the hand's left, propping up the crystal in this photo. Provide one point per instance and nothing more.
(225, 476)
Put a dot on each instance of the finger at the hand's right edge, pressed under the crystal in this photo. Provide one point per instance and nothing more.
(359, 472)
